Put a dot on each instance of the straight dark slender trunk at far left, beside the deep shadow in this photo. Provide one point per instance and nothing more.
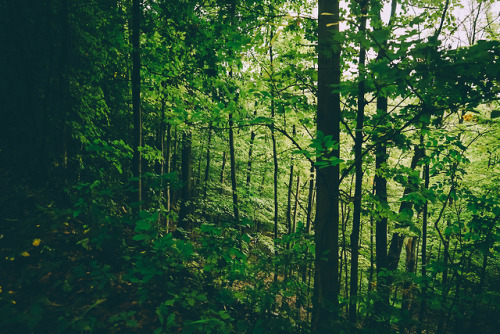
(136, 96)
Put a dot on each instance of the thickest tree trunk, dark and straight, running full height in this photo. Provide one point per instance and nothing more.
(326, 283)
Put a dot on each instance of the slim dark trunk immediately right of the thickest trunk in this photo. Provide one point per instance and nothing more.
(358, 187)
